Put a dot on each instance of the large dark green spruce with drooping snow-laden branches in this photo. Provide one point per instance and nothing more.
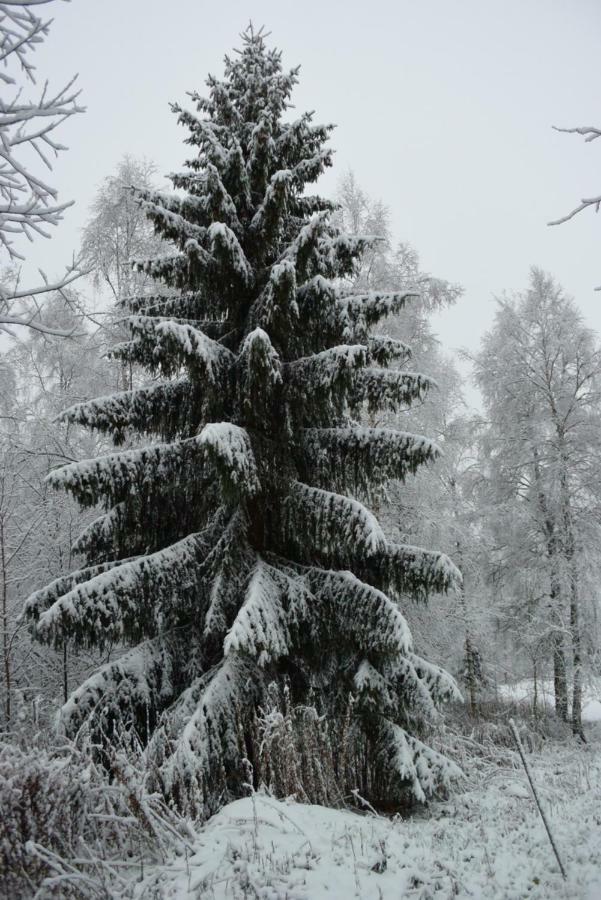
(234, 551)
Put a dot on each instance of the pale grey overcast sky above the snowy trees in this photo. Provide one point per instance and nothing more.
(444, 111)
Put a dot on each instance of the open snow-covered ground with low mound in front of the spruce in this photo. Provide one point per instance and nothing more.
(486, 842)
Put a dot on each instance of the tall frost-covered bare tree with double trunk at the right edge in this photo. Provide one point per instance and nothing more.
(539, 372)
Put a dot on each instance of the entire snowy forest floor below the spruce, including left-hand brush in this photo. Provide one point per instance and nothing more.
(66, 831)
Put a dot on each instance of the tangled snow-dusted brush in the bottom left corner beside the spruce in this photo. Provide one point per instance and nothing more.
(63, 822)
